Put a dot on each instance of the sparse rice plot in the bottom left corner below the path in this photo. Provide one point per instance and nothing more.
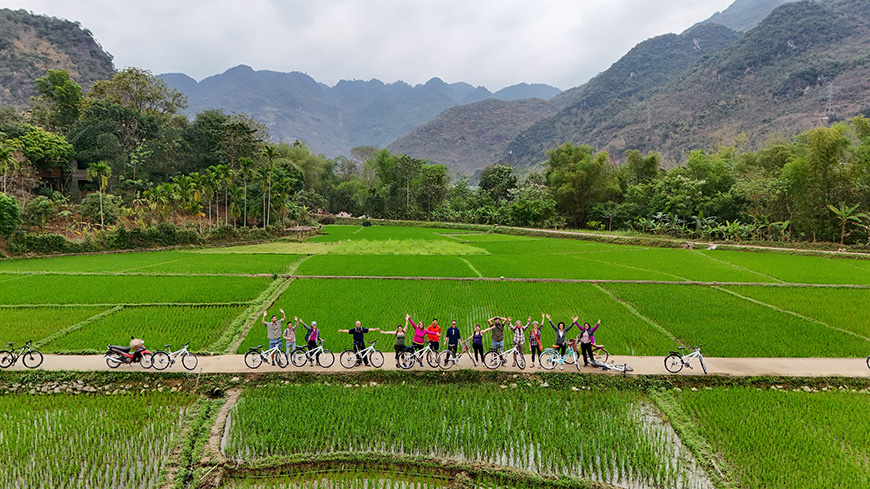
(68, 441)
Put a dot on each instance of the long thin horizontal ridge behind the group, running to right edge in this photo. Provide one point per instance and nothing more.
(578, 281)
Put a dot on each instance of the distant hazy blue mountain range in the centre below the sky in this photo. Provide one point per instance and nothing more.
(332, 120)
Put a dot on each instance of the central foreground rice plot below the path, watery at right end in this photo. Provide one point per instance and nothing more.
(599, 435)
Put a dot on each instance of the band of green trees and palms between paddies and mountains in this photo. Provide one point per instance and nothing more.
(148, 164)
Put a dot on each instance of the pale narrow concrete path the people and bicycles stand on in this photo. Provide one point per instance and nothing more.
(735, 367)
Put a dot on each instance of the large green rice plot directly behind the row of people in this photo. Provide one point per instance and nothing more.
(337, 304)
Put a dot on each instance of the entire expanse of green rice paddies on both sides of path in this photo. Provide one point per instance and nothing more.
(434, 429)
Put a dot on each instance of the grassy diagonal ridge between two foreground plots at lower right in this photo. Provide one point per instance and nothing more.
(718, 469)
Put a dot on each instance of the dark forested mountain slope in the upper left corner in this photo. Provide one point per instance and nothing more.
(31, 44)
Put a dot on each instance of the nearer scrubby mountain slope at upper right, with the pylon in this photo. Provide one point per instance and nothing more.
(806, 64)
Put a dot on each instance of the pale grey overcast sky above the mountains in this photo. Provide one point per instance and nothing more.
(495, 43)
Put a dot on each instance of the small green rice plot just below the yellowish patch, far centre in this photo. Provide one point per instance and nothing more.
(386, 266)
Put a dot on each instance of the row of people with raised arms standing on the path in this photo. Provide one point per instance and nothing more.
(432, 334)
